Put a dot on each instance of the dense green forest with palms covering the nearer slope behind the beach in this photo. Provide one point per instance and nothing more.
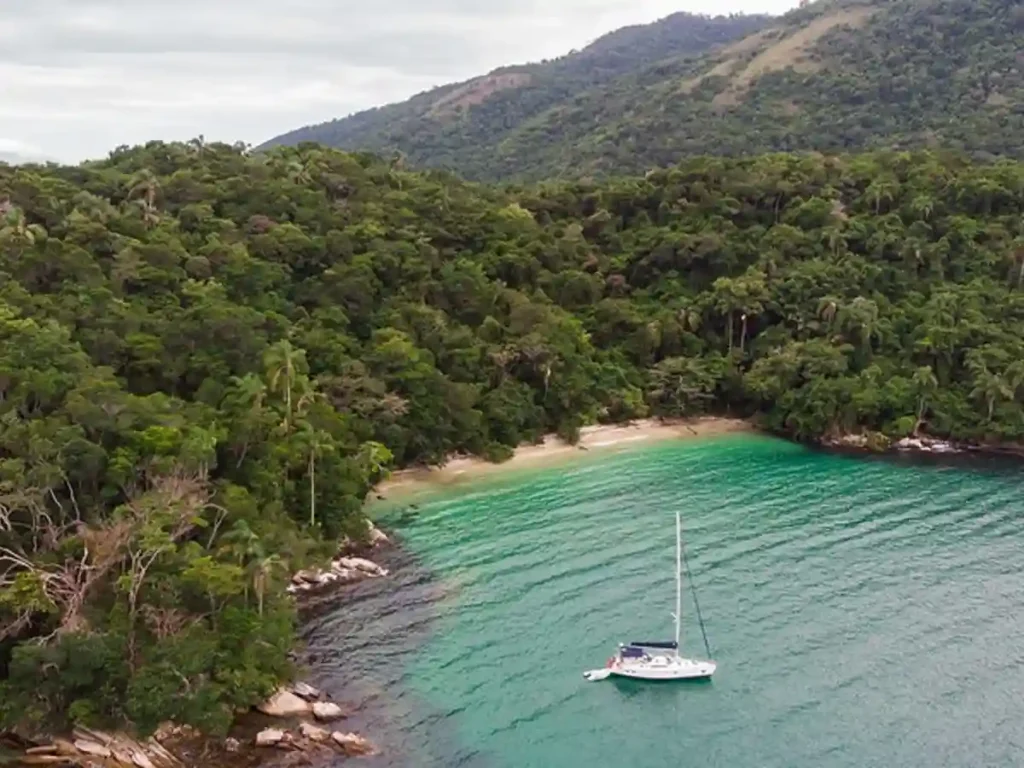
(207, 359)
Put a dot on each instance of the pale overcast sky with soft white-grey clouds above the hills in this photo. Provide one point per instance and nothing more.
(79, 78)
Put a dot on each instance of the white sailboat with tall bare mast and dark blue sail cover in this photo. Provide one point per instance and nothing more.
(658, 661)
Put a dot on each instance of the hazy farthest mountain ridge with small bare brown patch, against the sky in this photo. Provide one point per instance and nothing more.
(447, 126)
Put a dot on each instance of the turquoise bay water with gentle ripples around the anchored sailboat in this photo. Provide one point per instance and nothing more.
(863, 614)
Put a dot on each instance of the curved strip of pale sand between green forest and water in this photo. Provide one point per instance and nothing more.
(599, 438)
